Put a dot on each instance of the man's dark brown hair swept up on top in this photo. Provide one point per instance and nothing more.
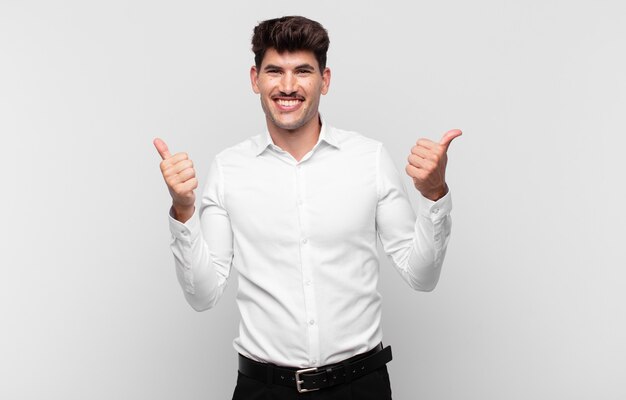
(290, 34)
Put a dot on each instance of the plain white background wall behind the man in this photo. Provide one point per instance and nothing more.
(531, 303)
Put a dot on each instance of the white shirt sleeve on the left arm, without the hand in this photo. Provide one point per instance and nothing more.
(203, 246)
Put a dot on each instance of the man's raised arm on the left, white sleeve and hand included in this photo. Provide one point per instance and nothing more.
(202, 242)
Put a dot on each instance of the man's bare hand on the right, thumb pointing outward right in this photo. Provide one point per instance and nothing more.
(427, 165)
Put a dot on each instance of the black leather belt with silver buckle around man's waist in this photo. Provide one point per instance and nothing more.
(309, 379)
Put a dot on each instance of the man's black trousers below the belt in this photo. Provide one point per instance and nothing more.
(373, 386)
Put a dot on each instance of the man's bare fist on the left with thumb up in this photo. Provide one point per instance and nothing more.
(180, 177)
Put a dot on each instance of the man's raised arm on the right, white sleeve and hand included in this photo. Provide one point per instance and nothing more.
(416, 245)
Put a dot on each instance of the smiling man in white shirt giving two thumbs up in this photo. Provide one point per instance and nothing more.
(297, 211)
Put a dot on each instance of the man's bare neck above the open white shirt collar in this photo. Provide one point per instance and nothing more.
(296, 142)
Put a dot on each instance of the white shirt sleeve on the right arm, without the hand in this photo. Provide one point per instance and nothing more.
(416, 245)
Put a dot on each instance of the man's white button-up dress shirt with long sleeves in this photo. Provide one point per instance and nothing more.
(302, 236)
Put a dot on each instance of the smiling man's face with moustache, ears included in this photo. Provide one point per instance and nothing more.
(290, 85)
